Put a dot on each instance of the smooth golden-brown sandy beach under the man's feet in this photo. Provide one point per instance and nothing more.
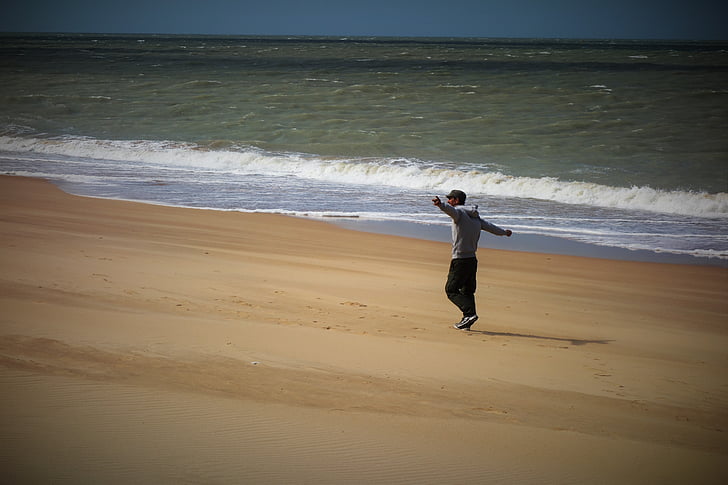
(151, 344)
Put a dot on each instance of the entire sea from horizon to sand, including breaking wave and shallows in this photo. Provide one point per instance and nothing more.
(612, 143)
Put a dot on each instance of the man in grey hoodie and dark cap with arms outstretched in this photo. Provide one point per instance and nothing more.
(461, 279)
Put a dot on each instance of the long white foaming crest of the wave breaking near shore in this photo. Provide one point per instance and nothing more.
(399, 173)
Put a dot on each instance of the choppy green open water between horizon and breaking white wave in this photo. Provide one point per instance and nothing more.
(616, 113)
